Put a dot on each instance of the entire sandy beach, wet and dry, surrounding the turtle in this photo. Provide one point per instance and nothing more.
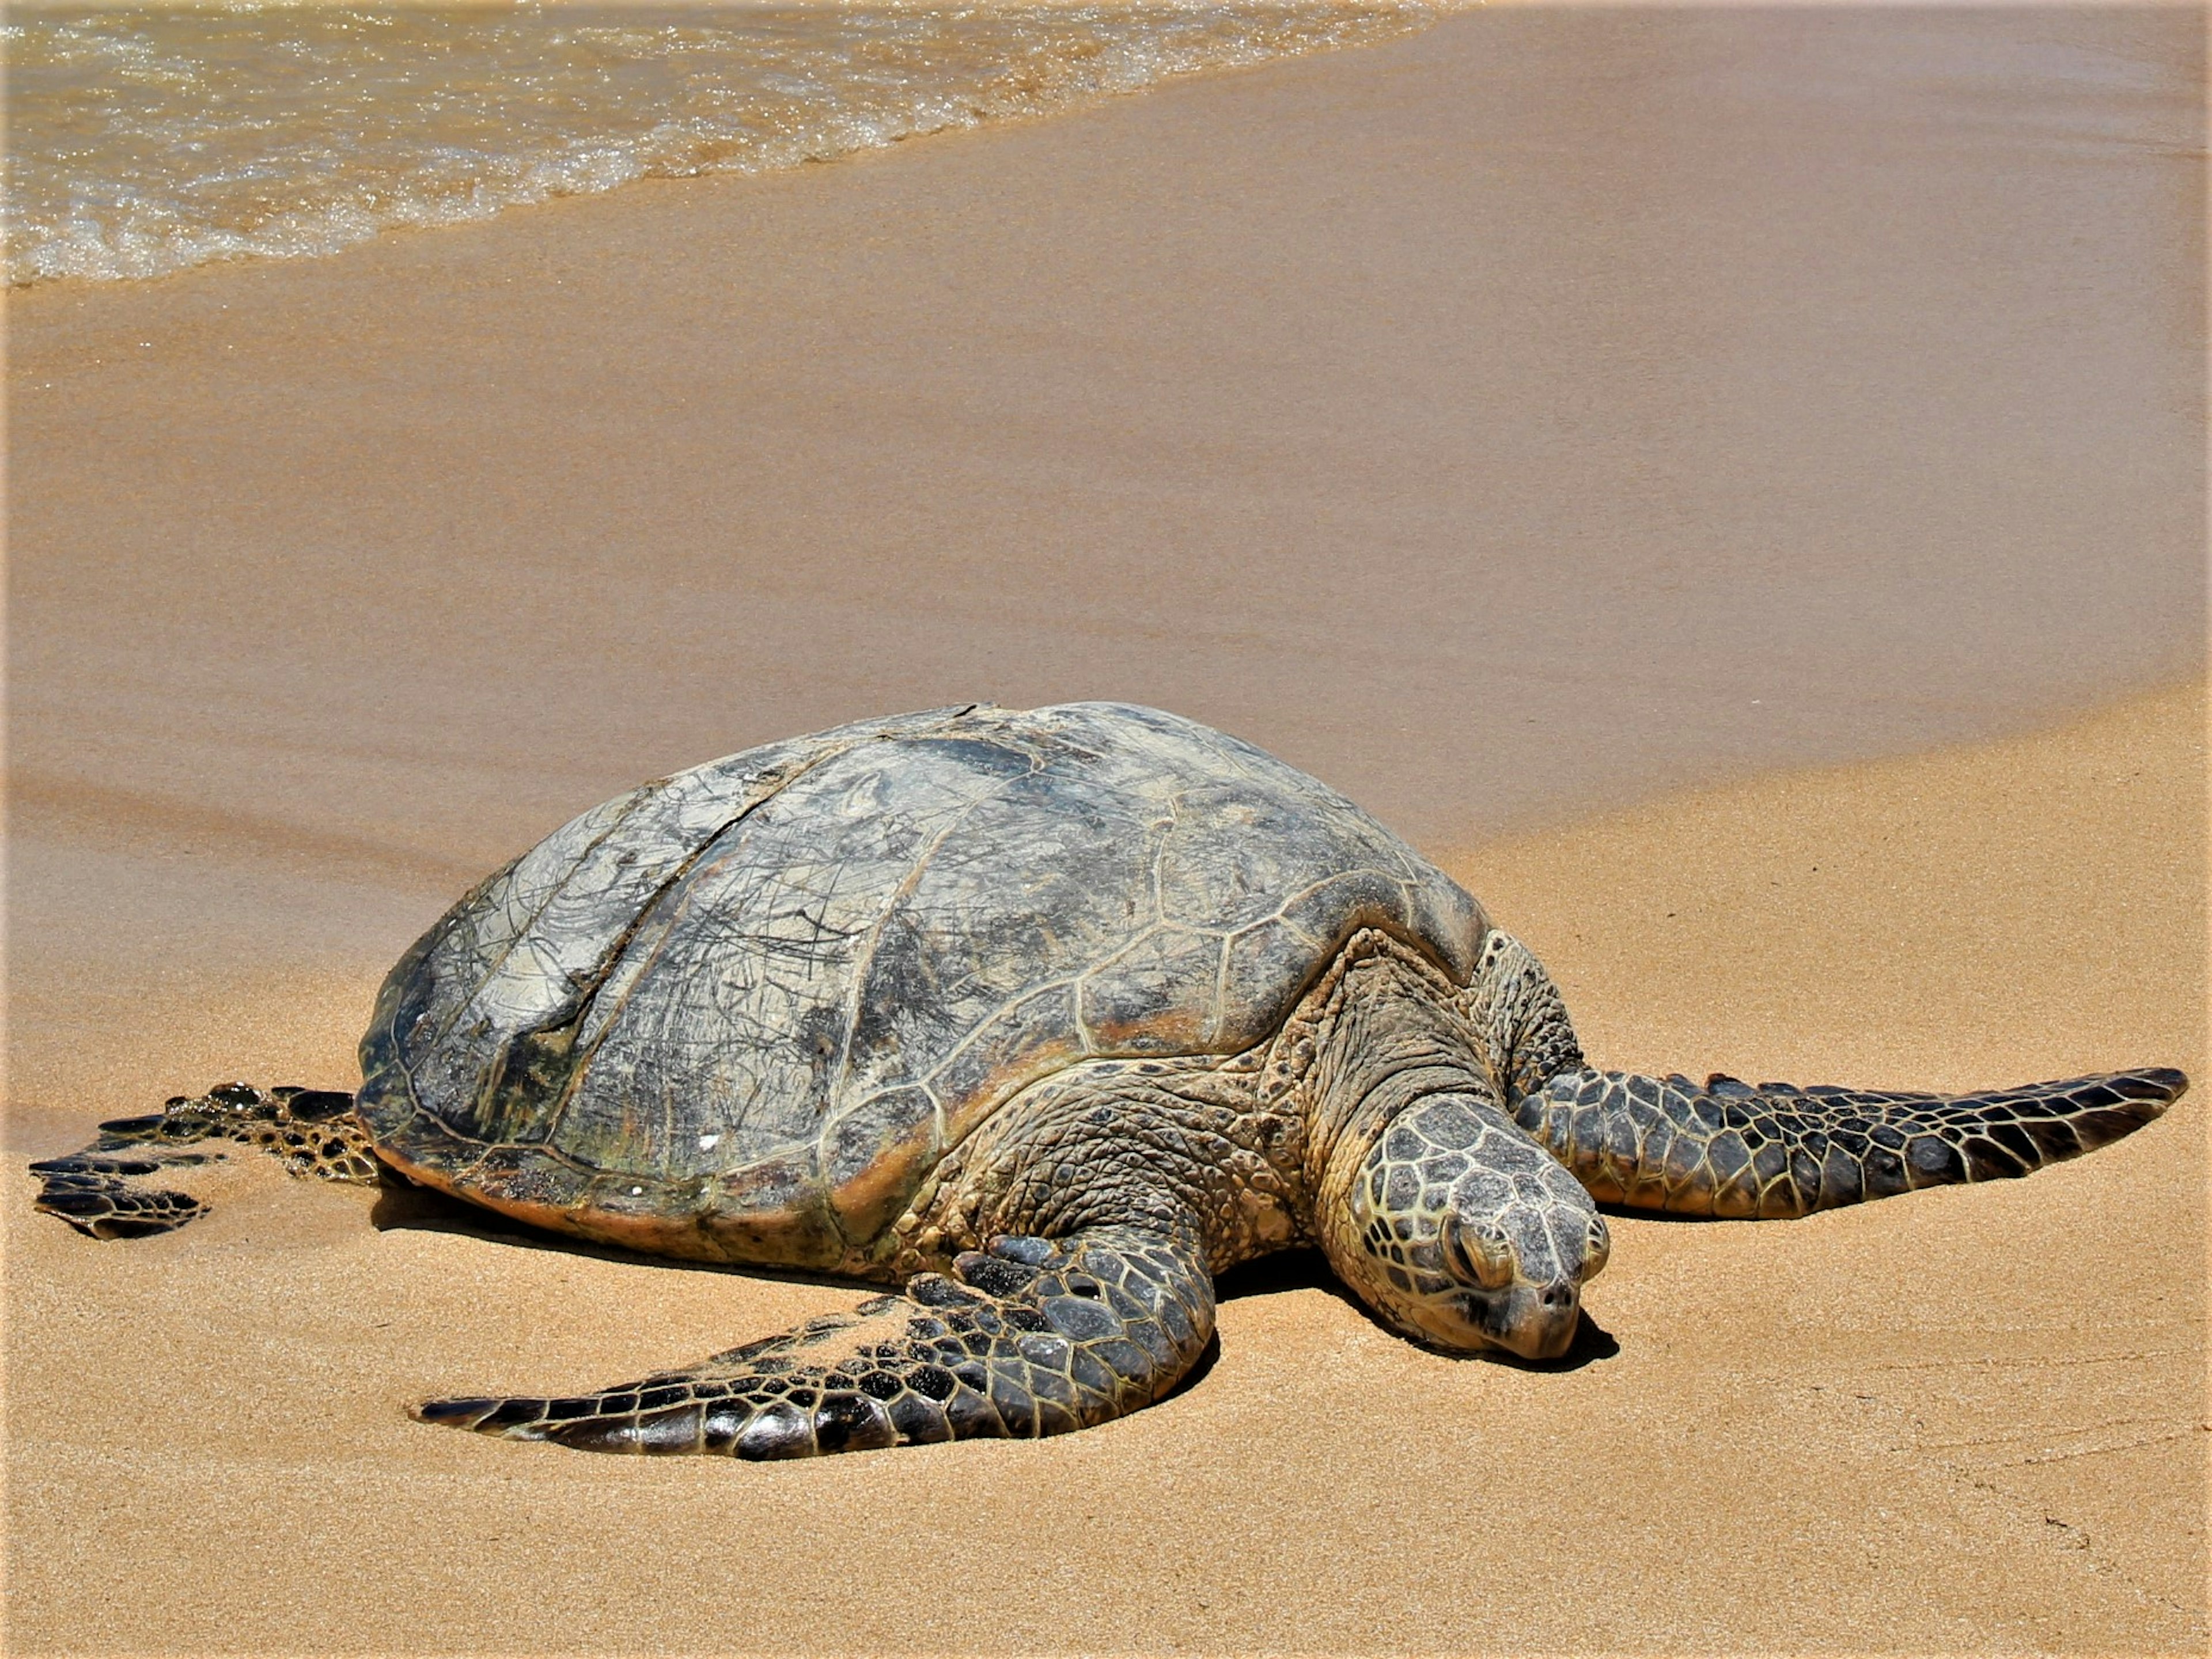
(1729, 486)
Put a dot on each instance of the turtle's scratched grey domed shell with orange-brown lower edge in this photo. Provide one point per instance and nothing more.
(742, 1012)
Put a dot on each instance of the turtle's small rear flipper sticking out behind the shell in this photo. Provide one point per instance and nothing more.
(112, 1189)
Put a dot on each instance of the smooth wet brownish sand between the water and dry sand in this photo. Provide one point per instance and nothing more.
(1446, 444)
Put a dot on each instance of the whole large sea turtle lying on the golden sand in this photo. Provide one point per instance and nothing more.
(1047, 1019)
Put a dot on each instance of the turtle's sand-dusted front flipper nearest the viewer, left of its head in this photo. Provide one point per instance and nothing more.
(1027, 1339)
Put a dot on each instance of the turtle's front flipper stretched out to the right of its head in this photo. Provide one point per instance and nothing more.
(1733, 1149)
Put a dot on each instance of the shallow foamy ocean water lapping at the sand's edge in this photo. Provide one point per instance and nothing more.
(149, 140)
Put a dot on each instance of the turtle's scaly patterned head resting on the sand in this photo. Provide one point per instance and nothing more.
(1463, 1233)
